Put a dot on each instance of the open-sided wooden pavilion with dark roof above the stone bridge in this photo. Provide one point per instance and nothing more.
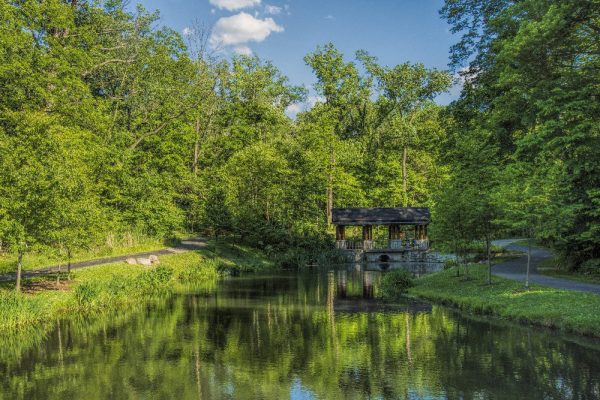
(407, 227)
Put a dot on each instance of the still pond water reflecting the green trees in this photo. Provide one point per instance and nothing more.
(289, 335)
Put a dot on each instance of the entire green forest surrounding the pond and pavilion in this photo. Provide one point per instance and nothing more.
(113, 124)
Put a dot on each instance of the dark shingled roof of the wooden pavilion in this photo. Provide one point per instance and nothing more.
(381, 216)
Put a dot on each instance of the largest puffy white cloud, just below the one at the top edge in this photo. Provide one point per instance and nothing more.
(242, 28)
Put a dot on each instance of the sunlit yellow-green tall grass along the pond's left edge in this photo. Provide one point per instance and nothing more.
(104, 288)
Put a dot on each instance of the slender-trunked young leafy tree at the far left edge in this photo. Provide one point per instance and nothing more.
(29, 199)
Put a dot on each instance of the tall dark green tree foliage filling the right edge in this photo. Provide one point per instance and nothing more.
(530, 84)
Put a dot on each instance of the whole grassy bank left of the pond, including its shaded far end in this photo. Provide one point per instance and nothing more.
(108, 287)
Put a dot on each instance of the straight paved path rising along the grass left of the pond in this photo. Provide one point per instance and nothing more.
(185, 246)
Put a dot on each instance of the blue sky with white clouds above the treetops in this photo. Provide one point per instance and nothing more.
(284, 31)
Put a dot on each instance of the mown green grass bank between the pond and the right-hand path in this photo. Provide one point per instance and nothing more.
(557, 309)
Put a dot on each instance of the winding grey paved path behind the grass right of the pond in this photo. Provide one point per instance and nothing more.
(516, 269)
